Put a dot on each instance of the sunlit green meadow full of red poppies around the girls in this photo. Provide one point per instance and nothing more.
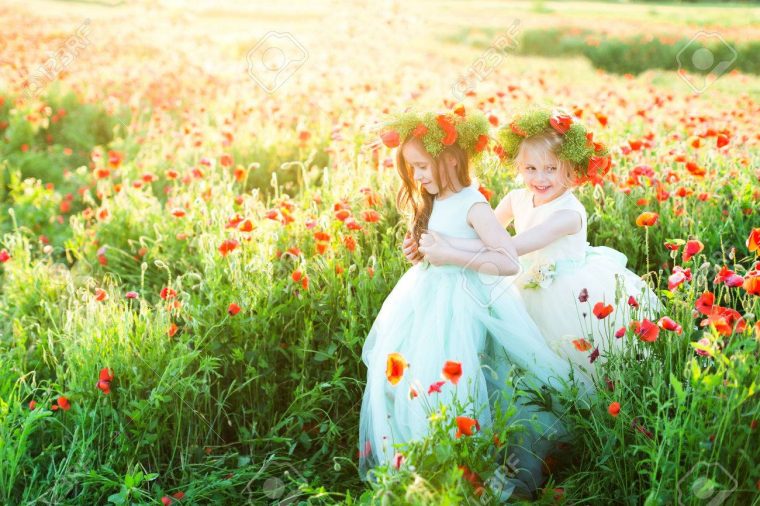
(193, 251)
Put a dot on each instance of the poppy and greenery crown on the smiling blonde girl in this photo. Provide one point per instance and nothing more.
(591, 160)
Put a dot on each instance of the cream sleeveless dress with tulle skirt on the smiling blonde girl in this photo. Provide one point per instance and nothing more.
(553, 280)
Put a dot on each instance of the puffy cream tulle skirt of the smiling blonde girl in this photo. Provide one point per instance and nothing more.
(562, 306)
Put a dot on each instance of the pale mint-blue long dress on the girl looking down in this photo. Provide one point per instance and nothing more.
(439, 313)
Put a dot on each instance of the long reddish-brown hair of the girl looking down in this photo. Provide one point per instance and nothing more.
(413, 196)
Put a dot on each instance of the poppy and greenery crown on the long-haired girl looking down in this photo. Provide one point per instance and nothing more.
(436, 131)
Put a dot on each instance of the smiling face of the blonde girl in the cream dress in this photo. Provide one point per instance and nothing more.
(543, 174)
